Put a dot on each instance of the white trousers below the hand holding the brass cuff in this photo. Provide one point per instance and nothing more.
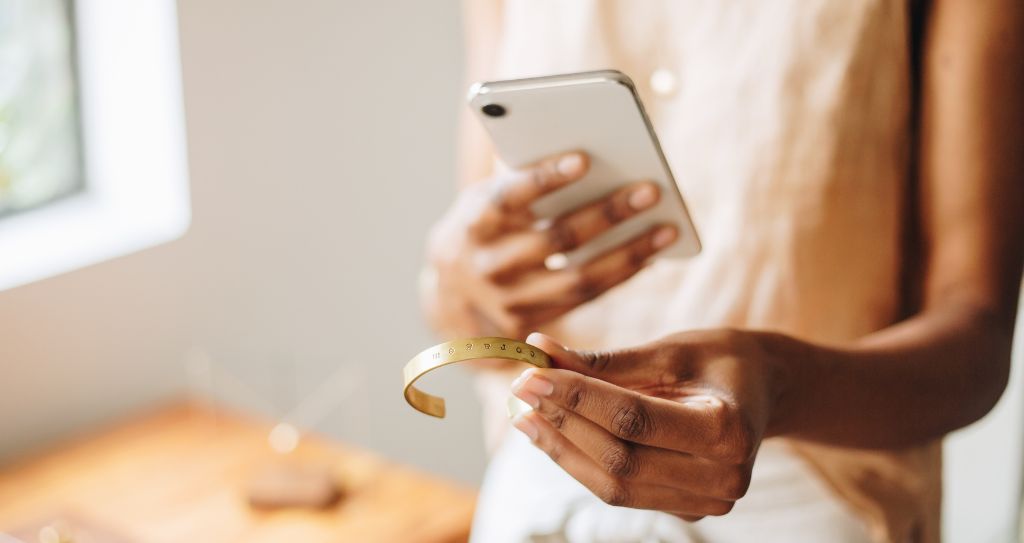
(527, 497)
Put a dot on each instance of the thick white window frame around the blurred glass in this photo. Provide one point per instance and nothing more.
(136, 193)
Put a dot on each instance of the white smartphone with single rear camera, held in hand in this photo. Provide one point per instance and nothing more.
(601, 114)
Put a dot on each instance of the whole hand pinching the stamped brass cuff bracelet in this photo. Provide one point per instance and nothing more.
(673, 426)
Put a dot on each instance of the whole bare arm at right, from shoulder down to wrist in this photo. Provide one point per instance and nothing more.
(947, 367)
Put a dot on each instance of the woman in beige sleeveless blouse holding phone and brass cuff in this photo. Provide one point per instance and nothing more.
(855, 172)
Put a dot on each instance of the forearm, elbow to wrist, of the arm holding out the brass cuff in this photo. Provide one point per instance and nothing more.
(905, 386)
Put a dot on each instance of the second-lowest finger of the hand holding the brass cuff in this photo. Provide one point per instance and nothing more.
(644, 465)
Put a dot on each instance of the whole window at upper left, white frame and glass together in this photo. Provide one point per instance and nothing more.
(93, 155)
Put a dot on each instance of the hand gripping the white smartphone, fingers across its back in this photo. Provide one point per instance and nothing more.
(490, 256)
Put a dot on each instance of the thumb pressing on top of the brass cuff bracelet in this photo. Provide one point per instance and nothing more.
(625, 367)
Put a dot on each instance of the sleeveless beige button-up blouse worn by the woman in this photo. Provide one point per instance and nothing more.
(787, 127)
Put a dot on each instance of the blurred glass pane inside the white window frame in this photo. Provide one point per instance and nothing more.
(40, 147)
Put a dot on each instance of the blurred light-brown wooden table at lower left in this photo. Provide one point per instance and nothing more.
(180, 476)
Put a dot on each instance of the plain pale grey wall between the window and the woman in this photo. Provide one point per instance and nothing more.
(322, 148)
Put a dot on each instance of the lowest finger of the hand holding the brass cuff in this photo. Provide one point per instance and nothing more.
(607, 487)
